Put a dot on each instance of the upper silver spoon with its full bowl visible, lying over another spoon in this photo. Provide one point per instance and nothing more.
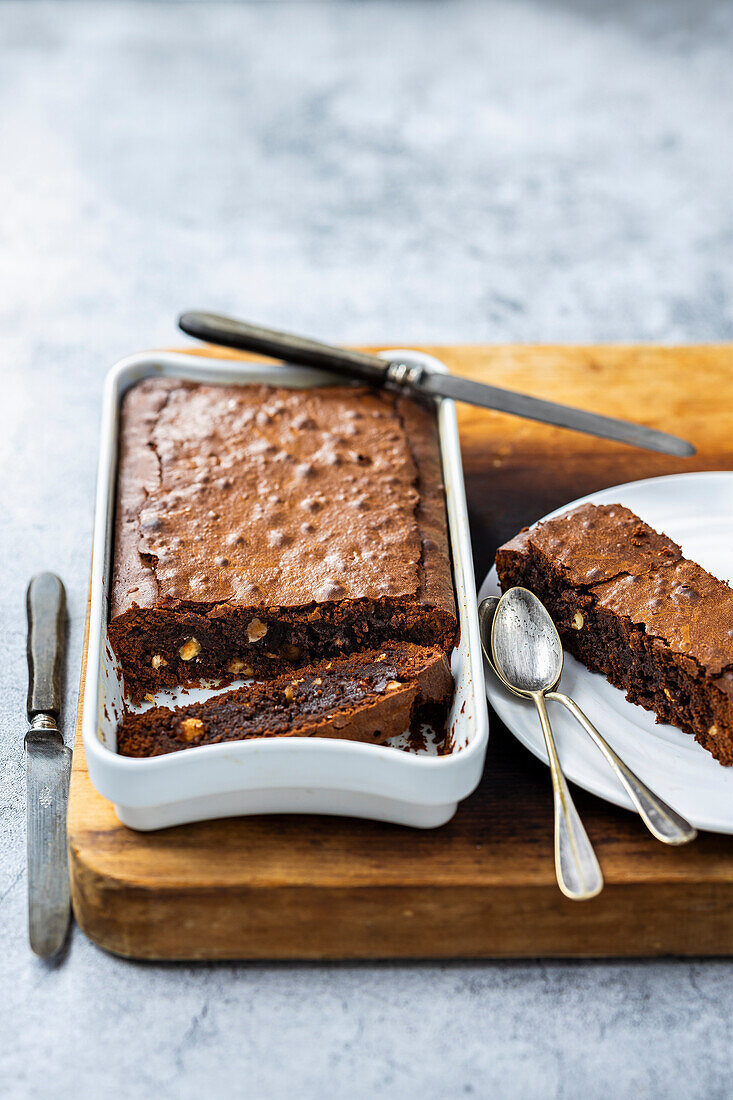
(529, 659)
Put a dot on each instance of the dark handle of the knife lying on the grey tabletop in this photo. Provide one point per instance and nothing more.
(47, 607)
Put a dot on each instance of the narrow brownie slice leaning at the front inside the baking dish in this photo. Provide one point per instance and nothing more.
(366, 698)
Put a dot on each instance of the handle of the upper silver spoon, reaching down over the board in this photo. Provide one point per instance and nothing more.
(578, 872)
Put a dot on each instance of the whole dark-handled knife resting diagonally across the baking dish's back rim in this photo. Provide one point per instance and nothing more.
(216, 329)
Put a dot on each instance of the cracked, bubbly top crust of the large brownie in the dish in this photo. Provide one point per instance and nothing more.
(260, 497)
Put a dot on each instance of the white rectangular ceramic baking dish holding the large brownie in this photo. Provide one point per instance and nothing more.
(293, 775)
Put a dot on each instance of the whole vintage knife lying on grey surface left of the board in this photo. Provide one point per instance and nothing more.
(48, 769)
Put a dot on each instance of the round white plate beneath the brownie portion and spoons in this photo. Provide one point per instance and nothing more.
(697, 512)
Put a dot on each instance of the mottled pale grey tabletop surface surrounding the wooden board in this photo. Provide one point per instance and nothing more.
(540, 171)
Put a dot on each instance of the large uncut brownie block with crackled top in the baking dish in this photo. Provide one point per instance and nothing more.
(260, 527)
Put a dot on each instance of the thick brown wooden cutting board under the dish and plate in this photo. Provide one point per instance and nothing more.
(485, 884)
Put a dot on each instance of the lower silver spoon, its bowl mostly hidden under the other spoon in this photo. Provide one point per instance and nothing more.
(661, 820)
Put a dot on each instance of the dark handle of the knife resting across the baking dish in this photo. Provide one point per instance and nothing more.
(215, 328)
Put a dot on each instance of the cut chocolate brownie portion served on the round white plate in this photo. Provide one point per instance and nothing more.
(628, 604)
